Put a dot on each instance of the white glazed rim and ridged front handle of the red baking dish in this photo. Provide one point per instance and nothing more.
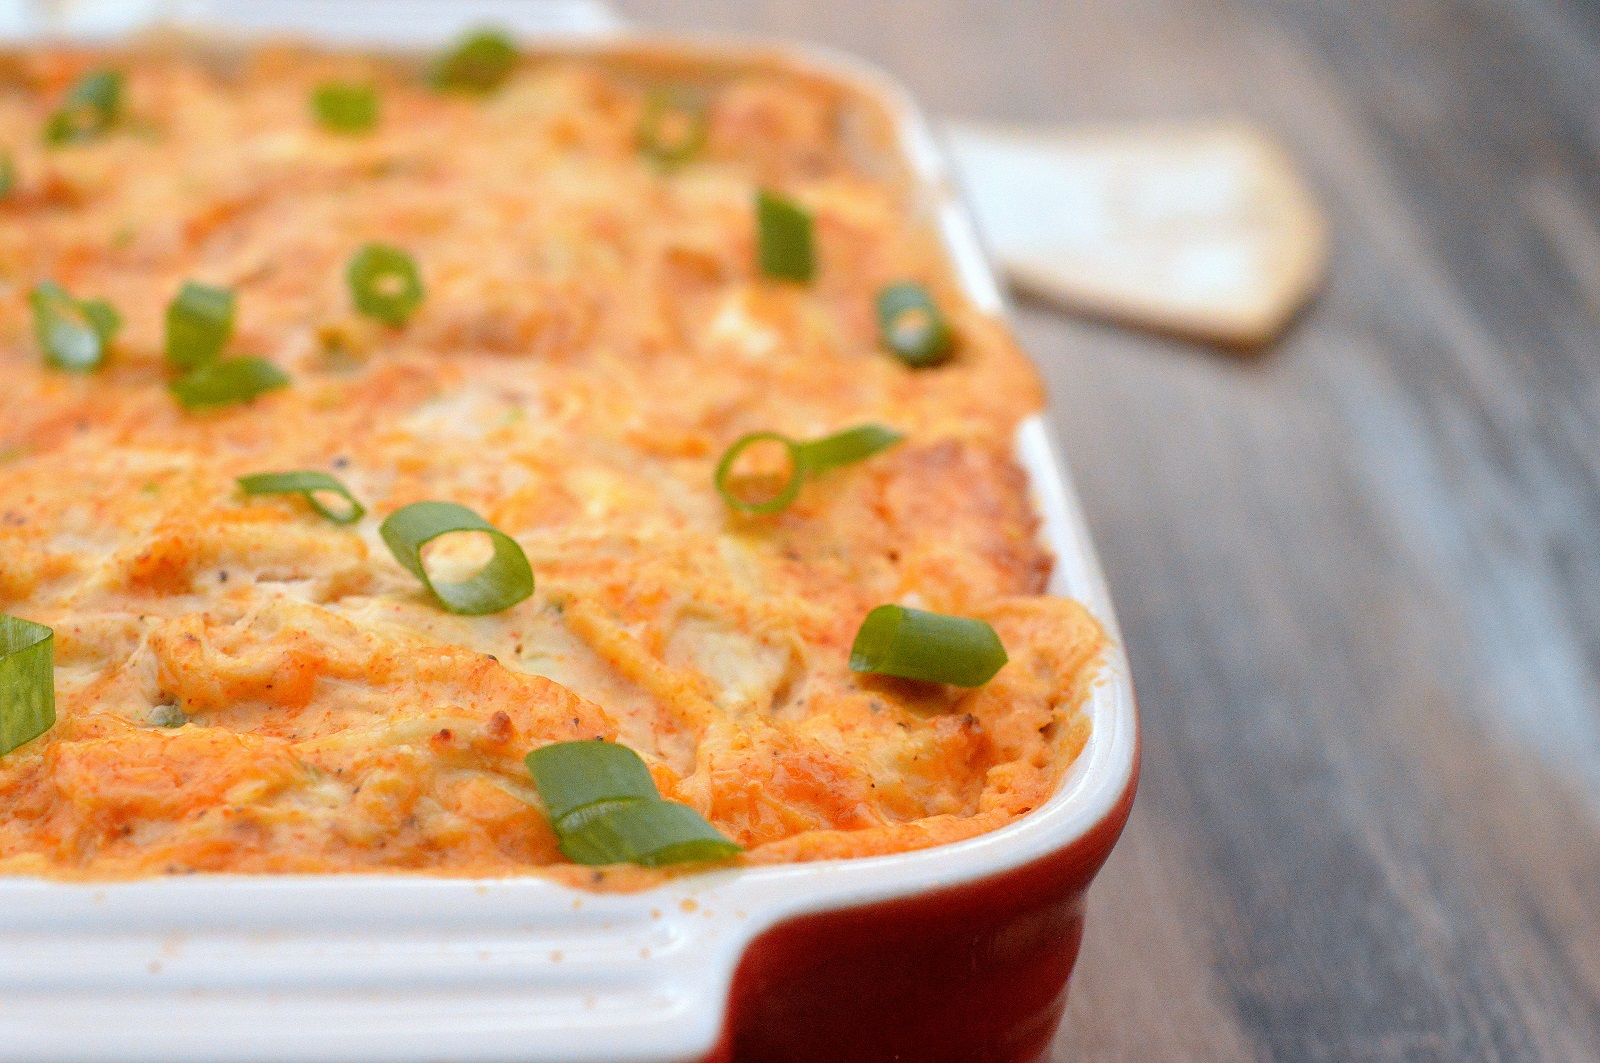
(415, 968)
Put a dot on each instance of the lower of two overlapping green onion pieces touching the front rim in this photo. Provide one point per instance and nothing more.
(649, 833)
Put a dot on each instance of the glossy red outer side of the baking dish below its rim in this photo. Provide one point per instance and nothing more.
(972, 974)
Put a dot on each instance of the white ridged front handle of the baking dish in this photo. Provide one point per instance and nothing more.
(359, 969)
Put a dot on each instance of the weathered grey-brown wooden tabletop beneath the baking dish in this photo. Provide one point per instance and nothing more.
(1359, 576)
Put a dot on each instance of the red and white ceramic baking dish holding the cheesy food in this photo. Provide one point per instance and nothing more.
(954, 953)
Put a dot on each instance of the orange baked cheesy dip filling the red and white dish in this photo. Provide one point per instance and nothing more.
(244, 684)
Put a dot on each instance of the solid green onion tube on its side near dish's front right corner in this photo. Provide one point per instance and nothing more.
(934, 648)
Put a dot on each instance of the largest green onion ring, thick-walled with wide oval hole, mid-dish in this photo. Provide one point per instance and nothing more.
(500, 585)
